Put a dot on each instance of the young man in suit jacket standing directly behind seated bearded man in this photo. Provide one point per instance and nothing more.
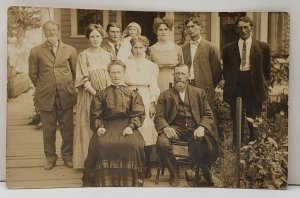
(203, 59)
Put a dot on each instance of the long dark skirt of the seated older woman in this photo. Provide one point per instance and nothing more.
(115, 160)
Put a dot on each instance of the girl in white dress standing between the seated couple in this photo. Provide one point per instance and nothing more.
(141, 74)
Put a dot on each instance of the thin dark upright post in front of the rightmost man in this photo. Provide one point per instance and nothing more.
(238, 139)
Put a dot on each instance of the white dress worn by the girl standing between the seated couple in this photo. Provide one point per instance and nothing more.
(141, 74)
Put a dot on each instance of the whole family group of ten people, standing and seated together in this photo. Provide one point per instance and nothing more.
(131, 96)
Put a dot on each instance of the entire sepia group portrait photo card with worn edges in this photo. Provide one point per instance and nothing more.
(120, 98)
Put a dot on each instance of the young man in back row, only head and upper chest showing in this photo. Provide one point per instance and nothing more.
(112, 43)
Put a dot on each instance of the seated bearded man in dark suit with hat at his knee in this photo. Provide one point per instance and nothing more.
(183, 113)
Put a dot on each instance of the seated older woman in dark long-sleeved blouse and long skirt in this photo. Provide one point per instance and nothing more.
(116, 151)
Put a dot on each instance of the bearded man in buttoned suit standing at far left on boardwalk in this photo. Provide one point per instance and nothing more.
(52, 72)
